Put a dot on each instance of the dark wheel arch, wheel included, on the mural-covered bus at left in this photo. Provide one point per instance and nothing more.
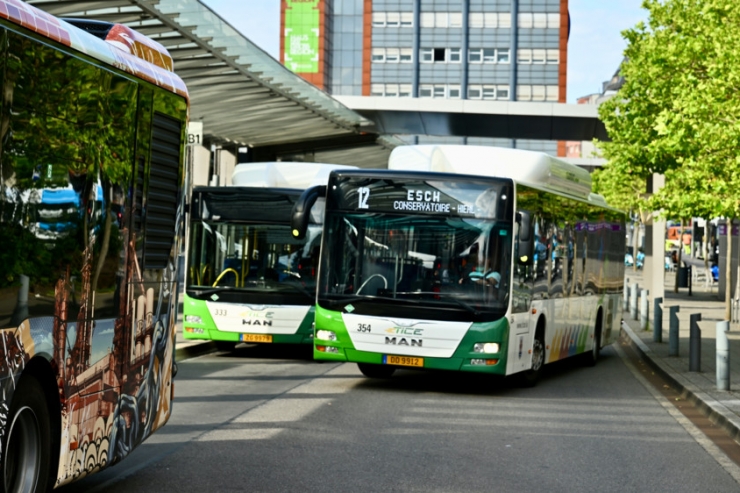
(31, 438)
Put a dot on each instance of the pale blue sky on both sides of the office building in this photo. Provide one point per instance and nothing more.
(594, 49)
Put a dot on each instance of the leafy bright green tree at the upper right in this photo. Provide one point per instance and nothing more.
(678, 112)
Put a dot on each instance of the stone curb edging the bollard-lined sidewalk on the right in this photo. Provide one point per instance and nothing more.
(717, 412)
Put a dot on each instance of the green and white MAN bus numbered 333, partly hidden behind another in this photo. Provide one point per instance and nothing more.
(247, 278)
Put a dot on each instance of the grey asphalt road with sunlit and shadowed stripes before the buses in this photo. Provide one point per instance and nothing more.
(262, 419)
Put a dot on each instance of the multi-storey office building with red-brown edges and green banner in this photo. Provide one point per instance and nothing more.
(503, 50)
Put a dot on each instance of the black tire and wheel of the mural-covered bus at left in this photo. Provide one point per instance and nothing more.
(26, 455)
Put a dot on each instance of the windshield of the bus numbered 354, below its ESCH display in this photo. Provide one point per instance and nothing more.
(458, 268)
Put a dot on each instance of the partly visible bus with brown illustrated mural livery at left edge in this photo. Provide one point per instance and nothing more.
(92, 132)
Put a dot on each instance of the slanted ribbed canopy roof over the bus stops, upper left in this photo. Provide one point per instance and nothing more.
(240, 93)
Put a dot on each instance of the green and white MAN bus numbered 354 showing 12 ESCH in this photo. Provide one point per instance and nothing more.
(467, 258)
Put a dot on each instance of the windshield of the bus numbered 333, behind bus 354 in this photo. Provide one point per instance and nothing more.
(263, 260)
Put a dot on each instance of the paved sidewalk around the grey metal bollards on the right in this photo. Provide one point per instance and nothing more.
(722, 407)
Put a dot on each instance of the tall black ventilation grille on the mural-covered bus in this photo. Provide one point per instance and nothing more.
(162, 196)
